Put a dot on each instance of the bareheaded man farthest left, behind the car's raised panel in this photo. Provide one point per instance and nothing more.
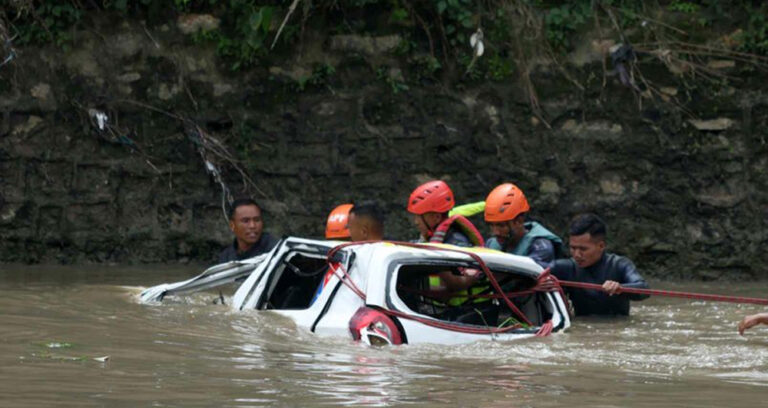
(247, 224)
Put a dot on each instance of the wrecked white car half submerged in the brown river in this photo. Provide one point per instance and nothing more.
(388, 292)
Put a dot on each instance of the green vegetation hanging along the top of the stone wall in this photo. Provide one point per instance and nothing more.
(435, 33)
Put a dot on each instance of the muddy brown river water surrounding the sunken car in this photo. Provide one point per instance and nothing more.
(56, 322)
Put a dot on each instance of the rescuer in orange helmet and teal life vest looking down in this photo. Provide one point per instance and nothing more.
(505, 210)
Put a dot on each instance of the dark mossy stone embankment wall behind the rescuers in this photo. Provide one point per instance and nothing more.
(680, 176)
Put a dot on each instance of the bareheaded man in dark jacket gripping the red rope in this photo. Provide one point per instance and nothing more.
(590, 263)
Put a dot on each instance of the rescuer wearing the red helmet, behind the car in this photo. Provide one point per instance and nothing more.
(430, 203)
